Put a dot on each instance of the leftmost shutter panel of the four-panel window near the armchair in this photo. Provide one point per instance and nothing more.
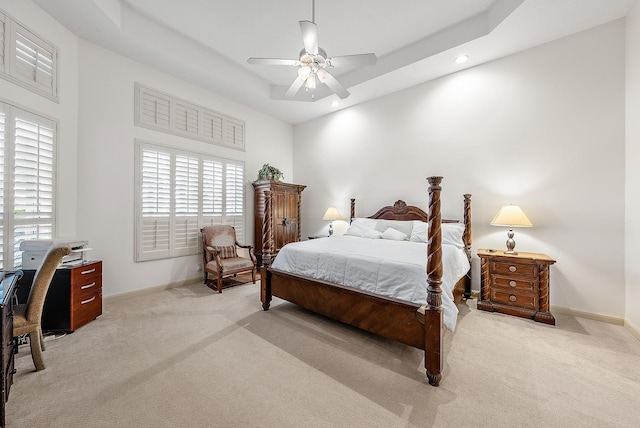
(155, 216)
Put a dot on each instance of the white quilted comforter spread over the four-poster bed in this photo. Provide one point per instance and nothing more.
(386, 267)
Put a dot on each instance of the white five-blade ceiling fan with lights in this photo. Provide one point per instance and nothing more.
(313, 63)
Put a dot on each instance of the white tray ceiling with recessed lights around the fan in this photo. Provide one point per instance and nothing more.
(207, 42)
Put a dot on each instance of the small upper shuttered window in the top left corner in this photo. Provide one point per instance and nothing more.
(27, 59)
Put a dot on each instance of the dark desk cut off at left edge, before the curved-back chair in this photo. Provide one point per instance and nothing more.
(7, 291)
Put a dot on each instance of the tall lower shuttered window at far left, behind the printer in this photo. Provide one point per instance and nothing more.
(27, 181)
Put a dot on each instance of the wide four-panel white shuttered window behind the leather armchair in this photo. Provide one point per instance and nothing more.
(169, 242)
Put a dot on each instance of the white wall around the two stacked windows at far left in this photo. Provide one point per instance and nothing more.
(64, 112)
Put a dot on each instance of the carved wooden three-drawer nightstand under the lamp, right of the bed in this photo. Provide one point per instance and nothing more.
(515, 284)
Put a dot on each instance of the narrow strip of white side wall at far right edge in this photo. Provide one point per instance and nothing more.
(632, 223)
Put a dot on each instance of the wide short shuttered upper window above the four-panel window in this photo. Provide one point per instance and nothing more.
(166, 113)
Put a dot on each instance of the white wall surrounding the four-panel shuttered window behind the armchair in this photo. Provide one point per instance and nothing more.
(106, 162)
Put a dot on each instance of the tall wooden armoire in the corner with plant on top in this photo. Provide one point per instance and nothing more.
(286, 200)
